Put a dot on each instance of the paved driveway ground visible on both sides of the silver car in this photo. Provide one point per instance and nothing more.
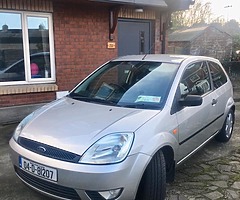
(212, 173)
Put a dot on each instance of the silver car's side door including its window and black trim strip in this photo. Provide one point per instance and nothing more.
(195, 125)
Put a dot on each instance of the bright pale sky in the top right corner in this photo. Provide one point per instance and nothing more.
(229, 9)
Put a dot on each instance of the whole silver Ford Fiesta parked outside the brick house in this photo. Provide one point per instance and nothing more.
(122, 131)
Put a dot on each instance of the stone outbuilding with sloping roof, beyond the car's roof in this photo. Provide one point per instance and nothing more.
(206, 40)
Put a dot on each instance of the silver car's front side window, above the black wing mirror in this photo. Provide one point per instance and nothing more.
(195, 80)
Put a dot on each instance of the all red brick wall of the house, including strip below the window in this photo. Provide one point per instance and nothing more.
(81, 34)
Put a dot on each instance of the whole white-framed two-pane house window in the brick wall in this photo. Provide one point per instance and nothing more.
(26, 53)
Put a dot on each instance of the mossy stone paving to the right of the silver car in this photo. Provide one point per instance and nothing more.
(212, 173)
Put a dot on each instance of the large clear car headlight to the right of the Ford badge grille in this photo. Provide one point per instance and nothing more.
(112, 148)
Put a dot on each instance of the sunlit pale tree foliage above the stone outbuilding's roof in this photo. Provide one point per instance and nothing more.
(197, 13)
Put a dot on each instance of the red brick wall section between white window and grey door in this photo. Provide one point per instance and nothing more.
(81, 36)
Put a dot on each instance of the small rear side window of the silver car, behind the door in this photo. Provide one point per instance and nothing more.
(218, 75)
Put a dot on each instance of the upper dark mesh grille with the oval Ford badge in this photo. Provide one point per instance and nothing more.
(48, 151)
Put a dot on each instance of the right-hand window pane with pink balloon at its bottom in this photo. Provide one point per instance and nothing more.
(38, 31)
